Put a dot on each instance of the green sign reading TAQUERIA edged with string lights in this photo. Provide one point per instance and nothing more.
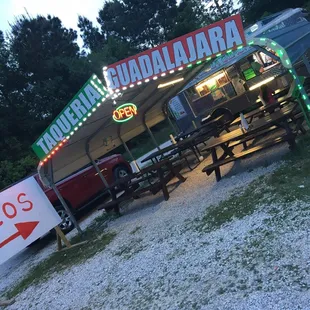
(70, 118)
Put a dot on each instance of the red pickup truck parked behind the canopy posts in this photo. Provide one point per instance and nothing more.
(85, 186)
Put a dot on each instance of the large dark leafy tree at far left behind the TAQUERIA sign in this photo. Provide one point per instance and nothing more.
(41, 69)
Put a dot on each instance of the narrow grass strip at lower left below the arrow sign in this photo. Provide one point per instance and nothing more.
(58, 261)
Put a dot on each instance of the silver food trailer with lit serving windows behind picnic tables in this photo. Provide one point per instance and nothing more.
(232, 81)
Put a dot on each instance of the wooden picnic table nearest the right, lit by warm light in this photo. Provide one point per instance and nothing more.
(229, 141)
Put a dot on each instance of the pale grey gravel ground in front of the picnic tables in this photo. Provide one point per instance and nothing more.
(159, 261)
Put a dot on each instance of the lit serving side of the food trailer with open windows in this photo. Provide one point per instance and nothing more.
(233, 81)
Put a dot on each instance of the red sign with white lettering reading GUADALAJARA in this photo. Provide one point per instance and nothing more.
(203, 43)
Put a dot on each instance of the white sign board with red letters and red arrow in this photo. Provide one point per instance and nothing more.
(26, 214)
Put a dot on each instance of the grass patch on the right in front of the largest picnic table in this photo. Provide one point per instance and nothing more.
(291, 182)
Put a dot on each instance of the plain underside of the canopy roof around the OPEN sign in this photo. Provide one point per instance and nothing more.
(103, 132)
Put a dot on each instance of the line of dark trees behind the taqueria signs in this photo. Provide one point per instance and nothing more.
(42, 66)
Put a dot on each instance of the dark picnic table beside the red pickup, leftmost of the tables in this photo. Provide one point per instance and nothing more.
(156, 176)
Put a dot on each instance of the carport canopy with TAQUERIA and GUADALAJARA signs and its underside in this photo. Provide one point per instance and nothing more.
(86, 127)
